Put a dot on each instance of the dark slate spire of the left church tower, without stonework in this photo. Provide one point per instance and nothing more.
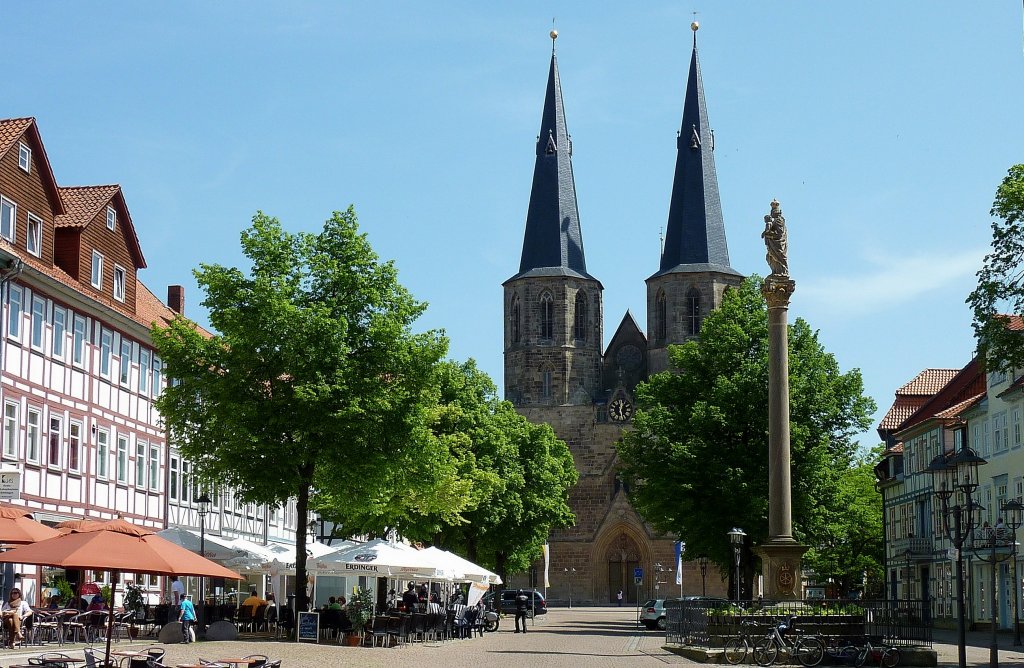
(553, 243)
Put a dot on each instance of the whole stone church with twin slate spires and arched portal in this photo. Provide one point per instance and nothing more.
(557, 370)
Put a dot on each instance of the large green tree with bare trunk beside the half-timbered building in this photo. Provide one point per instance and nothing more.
(314, 384)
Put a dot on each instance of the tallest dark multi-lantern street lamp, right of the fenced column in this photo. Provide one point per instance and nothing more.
(955, 481)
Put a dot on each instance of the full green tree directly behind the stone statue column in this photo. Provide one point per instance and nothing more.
(697, 461)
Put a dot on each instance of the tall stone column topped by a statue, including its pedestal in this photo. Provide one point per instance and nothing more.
(782, 555)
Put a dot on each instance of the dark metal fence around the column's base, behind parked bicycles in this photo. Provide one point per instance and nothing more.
(709, 624)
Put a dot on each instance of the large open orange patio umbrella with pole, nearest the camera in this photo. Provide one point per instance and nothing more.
(117, 546)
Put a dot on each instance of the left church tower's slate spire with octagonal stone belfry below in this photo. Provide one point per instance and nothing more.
(553, 308)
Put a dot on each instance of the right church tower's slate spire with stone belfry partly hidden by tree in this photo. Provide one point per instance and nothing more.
(695, 271)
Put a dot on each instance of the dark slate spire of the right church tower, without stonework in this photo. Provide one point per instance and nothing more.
(695, 238)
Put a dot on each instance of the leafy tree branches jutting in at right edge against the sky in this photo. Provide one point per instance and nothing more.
(1001, 280)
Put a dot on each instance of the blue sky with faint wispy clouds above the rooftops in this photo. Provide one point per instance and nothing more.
(882, 128)
